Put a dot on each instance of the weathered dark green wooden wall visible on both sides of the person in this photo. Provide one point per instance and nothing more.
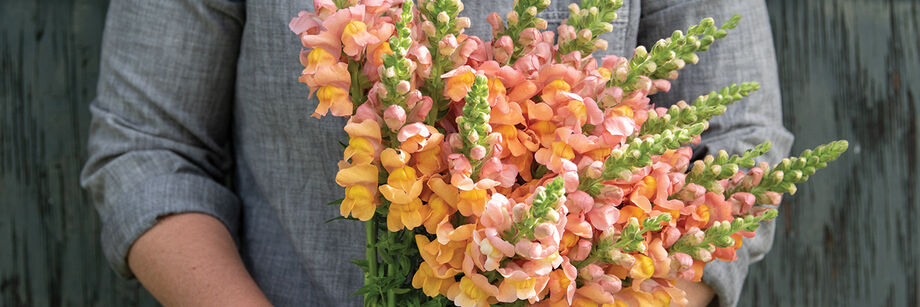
(849, 70)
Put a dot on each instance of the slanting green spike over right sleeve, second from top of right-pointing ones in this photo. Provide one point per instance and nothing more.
(703, 109)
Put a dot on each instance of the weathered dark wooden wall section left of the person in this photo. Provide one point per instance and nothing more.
(49, 232)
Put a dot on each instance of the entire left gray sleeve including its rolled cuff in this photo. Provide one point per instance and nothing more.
(160, 133)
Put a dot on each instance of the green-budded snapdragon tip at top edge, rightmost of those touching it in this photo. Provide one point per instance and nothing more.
(589, 21)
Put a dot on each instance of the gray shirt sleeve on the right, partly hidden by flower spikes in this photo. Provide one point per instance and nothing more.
(746, 54)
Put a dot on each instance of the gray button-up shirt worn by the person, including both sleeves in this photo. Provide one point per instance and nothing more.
(192, 93)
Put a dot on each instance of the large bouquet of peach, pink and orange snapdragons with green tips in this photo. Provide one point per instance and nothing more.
(522, 170)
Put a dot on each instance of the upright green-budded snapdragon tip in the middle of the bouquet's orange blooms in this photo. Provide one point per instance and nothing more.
(473, 124)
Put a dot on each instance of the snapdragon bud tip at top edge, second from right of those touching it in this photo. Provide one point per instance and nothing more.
(521, 17)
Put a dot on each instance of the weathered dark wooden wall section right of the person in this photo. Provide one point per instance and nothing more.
(849, 69)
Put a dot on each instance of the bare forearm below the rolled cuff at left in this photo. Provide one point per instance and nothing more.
(190, 259)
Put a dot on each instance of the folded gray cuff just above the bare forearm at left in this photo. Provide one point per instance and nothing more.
(156, 197)
